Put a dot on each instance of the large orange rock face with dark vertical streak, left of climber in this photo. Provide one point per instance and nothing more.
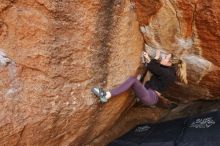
(55, 51)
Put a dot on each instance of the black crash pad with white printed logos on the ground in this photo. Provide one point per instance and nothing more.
(200, 130)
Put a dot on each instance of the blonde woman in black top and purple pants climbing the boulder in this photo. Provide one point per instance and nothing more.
(163, 71)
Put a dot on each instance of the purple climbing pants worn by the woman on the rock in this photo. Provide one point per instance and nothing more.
(147, 96)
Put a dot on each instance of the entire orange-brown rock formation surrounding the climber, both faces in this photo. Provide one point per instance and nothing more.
(53, 51)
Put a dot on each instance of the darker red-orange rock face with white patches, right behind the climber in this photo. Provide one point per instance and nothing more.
(189, 30)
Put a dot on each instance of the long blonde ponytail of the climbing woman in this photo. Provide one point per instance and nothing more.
(180, 66)
